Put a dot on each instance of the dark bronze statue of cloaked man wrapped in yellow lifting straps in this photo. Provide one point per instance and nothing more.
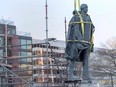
(79, 41)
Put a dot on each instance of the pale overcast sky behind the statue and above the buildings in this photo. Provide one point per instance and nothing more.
(29, 16)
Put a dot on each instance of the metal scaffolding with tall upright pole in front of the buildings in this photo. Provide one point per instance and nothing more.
(45, 68)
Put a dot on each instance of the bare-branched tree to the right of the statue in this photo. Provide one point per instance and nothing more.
(104, 61)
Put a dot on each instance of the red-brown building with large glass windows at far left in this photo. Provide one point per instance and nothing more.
(15, 50)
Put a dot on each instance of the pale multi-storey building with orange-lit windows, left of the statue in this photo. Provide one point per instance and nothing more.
(48, 67)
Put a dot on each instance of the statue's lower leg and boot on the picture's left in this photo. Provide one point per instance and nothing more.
(71, 70)
